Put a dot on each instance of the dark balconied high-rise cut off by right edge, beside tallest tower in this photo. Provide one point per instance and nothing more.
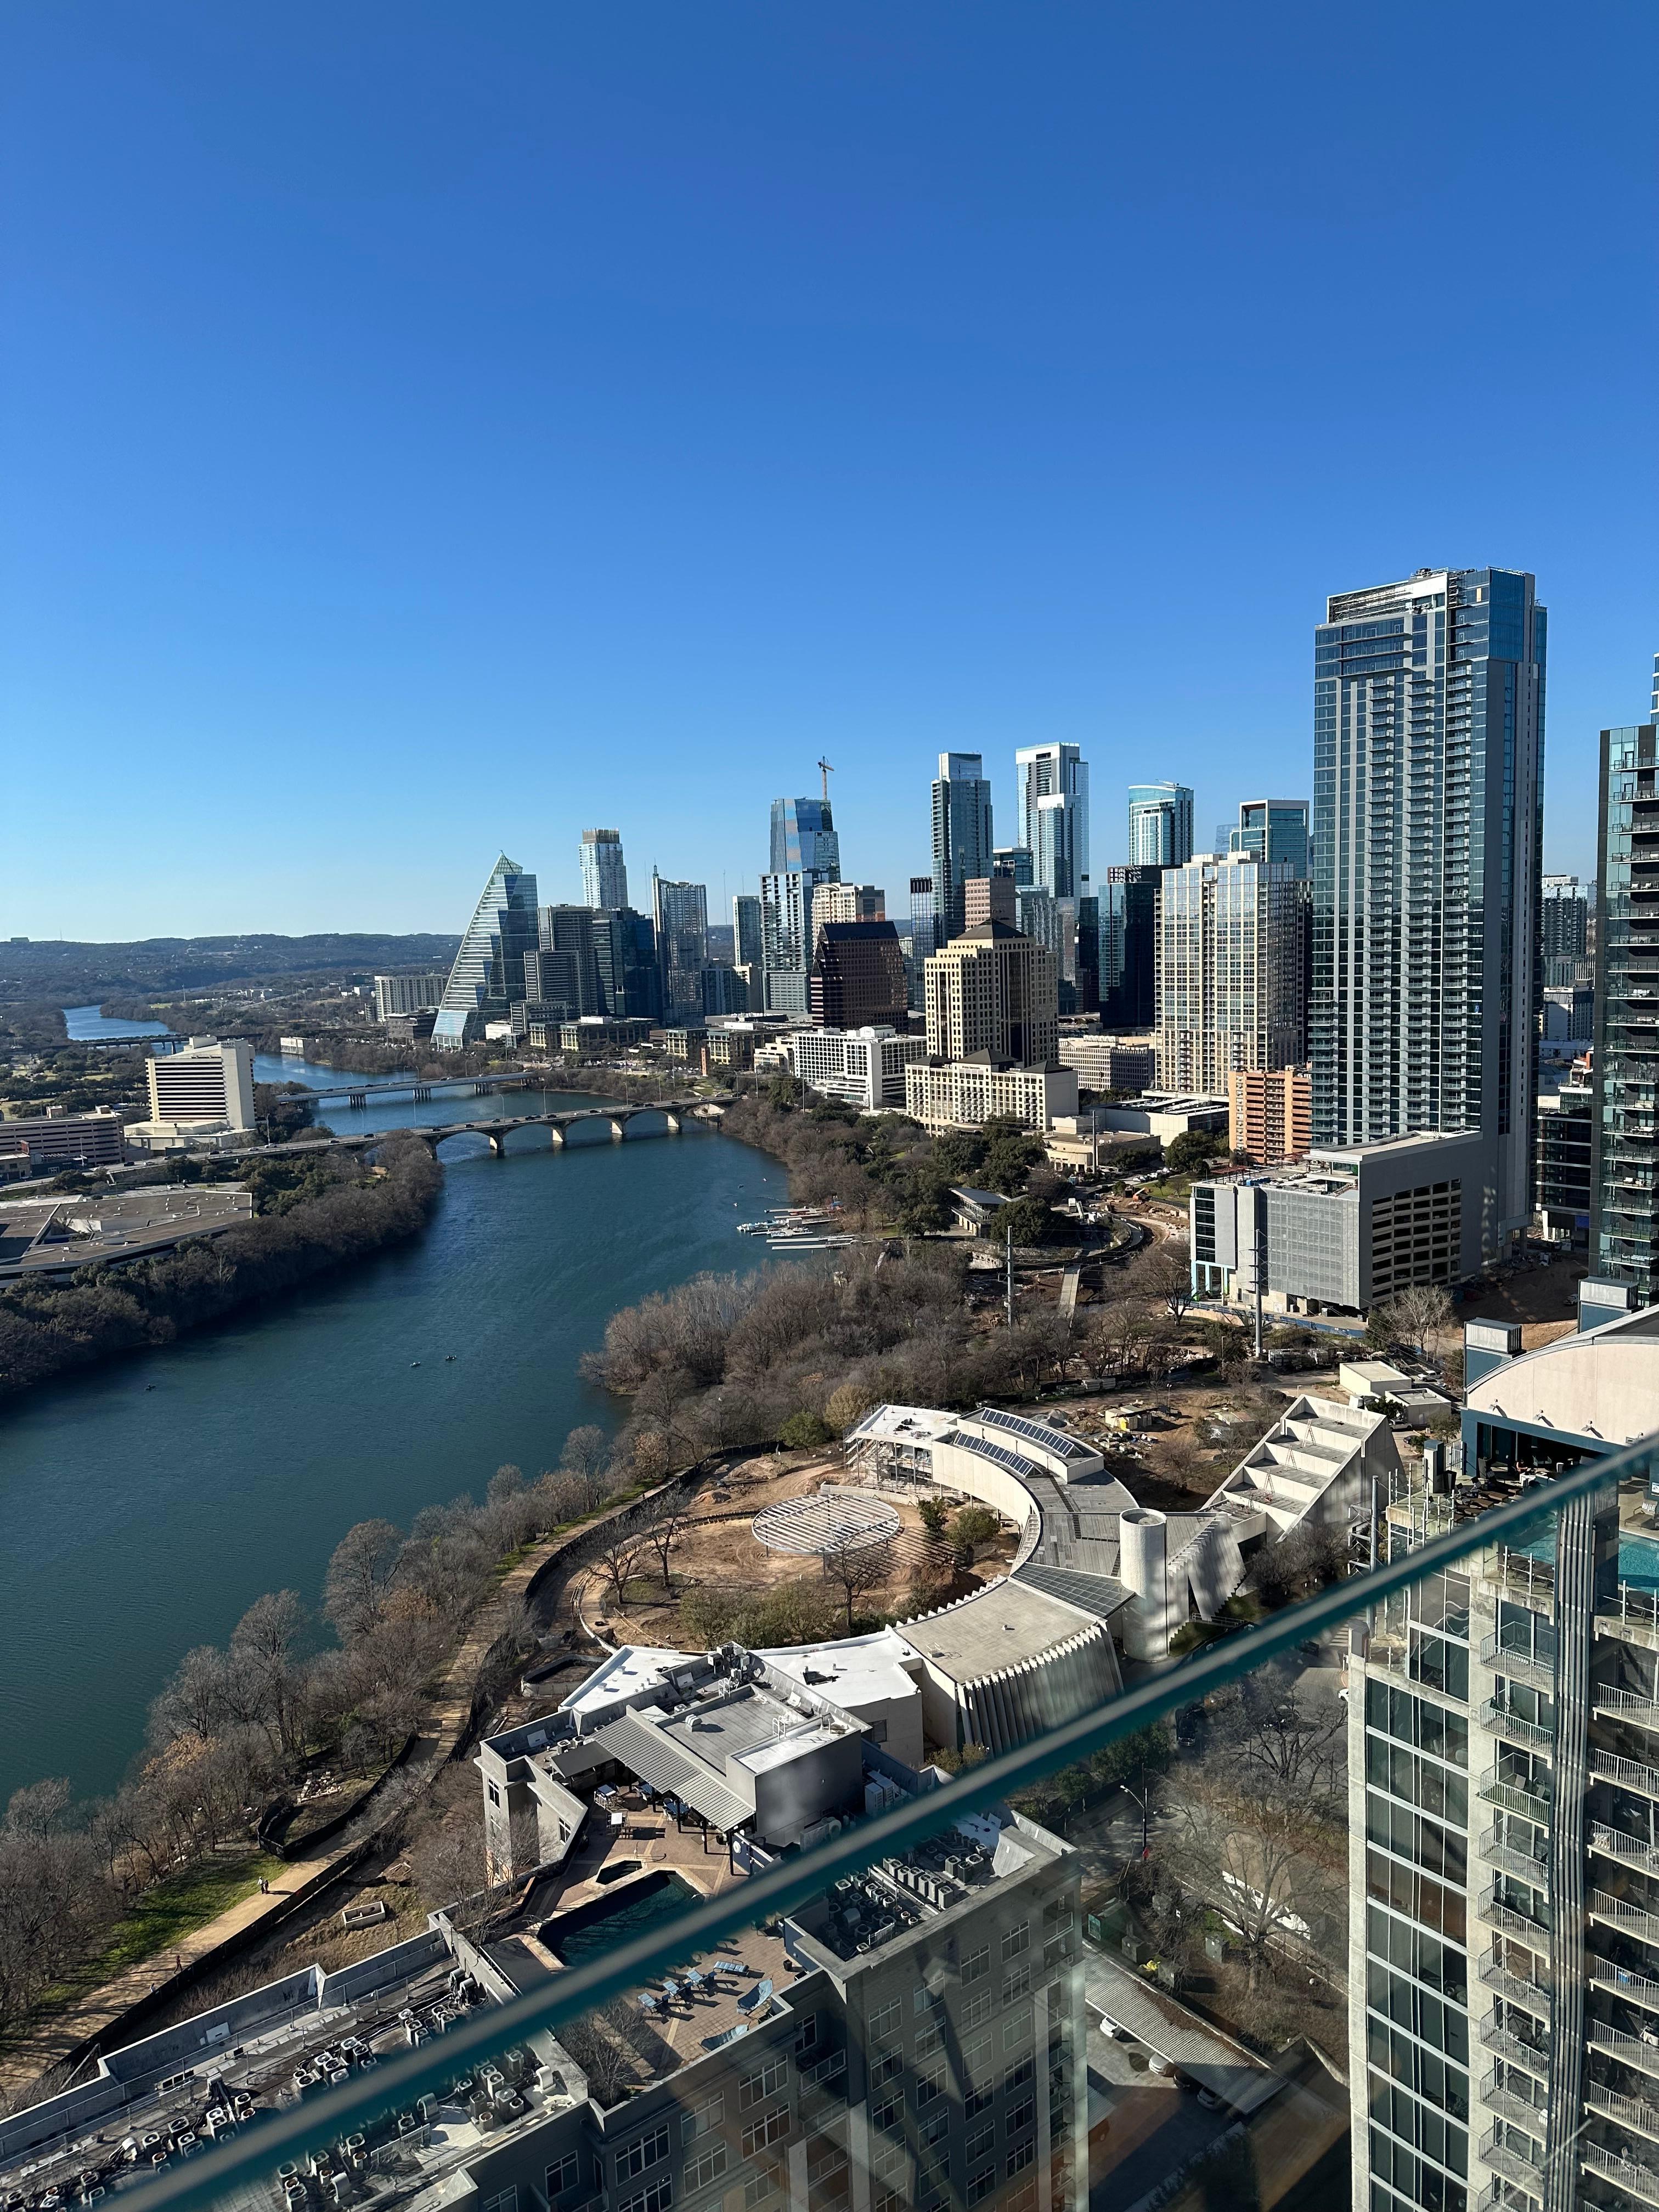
(1625, 1231)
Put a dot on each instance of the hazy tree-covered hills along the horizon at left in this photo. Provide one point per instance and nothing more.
(67, 974)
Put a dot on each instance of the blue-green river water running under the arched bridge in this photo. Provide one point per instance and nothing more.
(147, 1503)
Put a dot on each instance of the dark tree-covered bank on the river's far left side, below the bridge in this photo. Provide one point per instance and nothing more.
(50, 1331)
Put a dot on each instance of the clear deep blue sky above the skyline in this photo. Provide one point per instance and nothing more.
(437, 428)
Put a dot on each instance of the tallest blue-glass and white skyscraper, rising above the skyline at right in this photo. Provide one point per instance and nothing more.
(1428, 826)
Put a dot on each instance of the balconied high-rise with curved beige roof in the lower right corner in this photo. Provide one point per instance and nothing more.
(1503, 1744)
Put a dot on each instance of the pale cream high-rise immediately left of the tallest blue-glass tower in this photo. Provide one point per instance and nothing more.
(1231, 979)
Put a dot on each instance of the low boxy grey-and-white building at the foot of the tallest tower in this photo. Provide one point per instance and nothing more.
(1346, 1231)
